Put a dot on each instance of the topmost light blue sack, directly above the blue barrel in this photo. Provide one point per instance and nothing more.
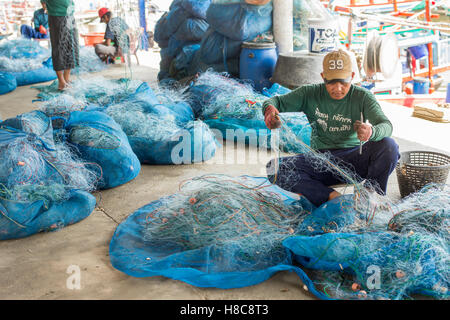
(240, 21)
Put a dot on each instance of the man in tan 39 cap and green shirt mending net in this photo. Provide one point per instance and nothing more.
(334, 110)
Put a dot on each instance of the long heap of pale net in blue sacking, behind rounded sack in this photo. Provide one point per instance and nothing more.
(159, 124)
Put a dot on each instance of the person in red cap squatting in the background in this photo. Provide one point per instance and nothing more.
(116, 39)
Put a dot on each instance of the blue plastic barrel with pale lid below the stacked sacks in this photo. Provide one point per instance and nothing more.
(257, 63)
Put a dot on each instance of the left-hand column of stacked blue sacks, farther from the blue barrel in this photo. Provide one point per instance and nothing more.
(178, 34)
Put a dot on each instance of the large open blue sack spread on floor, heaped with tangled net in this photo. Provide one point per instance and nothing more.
(225, 237)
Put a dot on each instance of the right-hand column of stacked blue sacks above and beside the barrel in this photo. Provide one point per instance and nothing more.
(231, 22)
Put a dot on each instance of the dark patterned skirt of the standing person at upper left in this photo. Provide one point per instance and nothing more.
(64, 41)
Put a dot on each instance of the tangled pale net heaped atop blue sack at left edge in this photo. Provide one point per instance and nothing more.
(34, 168)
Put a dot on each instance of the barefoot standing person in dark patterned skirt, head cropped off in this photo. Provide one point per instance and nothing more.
(63, 38)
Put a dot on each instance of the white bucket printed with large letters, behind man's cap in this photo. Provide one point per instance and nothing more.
(322, 35)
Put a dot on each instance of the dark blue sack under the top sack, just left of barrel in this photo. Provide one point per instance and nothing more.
(215, 47)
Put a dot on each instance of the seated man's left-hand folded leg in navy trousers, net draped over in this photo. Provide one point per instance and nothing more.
(297, 174)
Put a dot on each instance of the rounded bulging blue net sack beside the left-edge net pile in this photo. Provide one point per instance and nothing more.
(100, 140)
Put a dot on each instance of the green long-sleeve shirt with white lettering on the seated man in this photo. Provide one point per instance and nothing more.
(332, 120)
